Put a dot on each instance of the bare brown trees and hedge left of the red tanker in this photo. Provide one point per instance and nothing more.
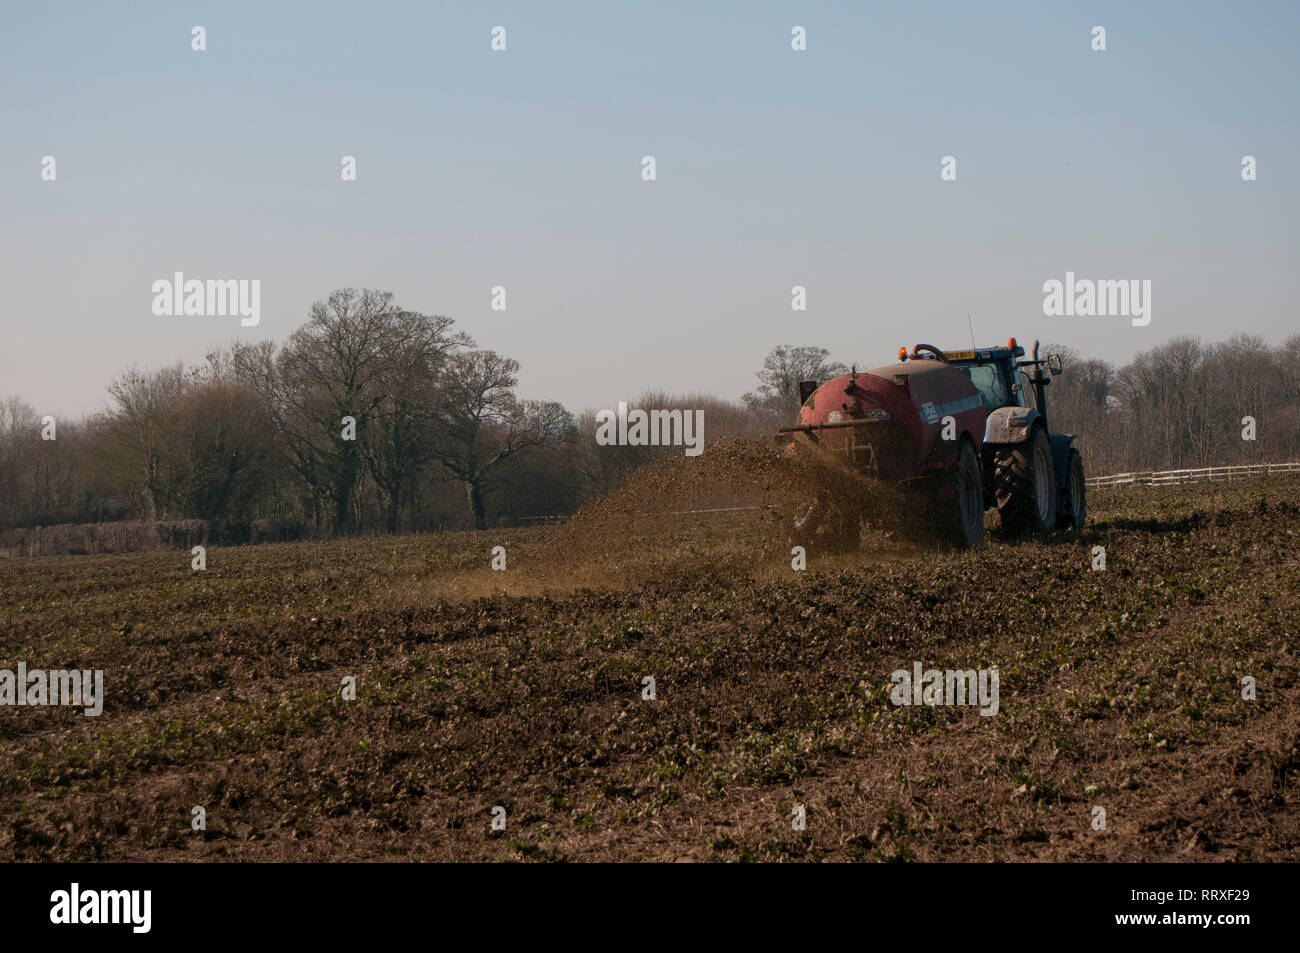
(367, 419)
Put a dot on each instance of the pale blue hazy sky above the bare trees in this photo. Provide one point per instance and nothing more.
(523, 168)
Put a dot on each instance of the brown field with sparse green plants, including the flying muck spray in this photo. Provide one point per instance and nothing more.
(523, 688)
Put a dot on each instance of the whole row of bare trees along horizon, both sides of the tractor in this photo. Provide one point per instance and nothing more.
(376, 419)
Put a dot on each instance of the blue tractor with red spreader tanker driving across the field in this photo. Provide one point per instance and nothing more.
(969, 430)
